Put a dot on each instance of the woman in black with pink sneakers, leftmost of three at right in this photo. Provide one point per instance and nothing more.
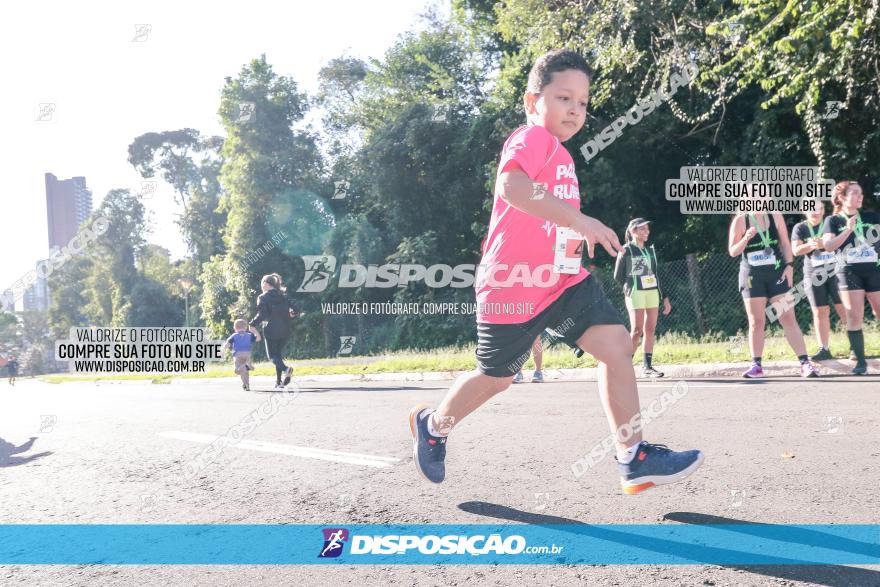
(766, 273)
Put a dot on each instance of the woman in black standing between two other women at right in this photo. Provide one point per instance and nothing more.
(820, 285)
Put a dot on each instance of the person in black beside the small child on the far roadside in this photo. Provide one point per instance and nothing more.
(274, 308)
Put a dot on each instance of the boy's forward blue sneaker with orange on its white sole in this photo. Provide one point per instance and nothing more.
(656, 464)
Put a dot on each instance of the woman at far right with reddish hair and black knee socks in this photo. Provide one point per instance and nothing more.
(855, 236)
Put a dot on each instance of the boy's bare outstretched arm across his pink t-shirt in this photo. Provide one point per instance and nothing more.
(518, 190)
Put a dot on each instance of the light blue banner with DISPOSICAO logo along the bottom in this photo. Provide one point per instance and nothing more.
(654, 544)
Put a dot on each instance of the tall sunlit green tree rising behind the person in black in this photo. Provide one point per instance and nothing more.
(271, 176)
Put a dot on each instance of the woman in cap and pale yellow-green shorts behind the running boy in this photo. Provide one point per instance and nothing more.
(636, 271)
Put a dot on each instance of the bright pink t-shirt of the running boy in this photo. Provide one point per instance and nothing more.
(517, 238)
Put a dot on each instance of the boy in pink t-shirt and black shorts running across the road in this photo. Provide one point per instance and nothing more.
(536, 207)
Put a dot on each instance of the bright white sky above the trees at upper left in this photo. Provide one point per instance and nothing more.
(109, 88)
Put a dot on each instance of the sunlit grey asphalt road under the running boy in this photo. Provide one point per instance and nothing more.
(781, 451)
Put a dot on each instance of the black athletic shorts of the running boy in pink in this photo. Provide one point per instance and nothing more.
(502, 349)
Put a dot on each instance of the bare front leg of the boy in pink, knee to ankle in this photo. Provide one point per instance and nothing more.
(611, 345)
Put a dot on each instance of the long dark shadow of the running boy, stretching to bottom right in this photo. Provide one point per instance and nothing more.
(834, 575)
